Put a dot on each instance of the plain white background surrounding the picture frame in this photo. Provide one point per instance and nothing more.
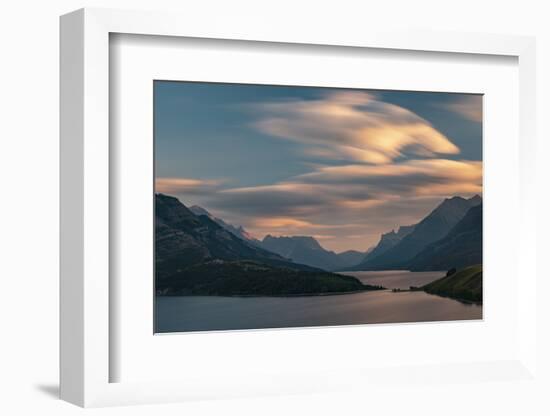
(29, 209)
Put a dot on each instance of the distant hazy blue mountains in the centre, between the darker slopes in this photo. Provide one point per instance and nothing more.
(307, 250)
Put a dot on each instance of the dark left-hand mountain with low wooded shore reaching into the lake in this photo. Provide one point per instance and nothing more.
(194, 255)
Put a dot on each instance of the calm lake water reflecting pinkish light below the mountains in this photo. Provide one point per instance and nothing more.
(207, 313)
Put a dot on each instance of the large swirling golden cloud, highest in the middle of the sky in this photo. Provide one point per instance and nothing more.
(353, 126)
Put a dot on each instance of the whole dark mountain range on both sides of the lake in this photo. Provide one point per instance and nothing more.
(198, 253)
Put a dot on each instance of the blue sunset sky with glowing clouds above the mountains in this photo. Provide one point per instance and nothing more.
(341, 165)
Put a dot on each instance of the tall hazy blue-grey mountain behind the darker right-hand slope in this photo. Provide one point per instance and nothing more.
(432, 228)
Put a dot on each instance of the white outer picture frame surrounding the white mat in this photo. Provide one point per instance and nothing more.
(86, 211)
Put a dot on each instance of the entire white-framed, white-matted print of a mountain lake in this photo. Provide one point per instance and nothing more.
(272, 212)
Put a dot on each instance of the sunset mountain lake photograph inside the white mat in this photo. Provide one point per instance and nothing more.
(280, 206)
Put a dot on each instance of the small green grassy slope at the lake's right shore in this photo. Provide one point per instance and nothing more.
(465, 284)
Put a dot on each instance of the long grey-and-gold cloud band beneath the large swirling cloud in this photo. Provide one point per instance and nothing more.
(331, 189)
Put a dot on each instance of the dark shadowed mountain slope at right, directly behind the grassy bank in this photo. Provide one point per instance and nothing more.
(461, 247)
